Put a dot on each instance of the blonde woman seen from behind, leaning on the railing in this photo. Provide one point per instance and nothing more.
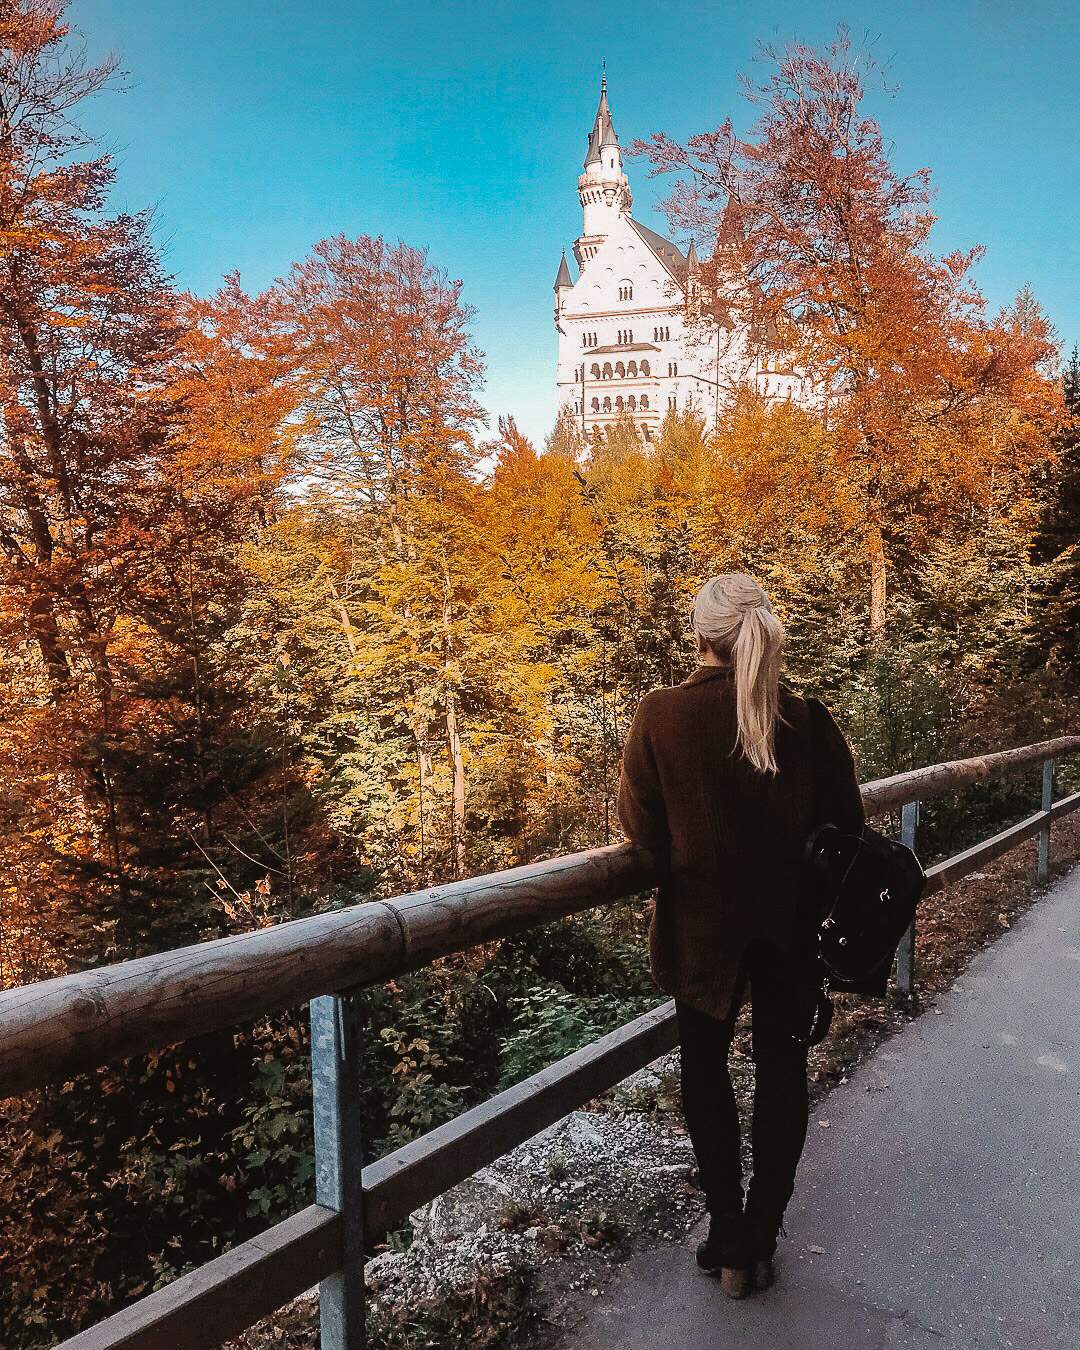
(728, 774)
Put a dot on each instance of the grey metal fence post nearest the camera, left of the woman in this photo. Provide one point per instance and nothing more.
(340, 1163)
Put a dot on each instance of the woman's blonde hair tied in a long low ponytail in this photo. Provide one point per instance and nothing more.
(734, 616)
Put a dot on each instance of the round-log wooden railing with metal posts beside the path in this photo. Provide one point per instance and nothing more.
(56, 1029)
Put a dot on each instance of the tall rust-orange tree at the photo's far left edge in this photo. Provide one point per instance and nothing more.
(86, 327)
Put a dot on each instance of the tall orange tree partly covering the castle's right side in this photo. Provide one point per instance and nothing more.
(821, 250)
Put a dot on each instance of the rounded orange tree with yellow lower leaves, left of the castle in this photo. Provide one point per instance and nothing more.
(391, 375)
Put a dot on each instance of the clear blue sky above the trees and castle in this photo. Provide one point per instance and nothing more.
(259, 128)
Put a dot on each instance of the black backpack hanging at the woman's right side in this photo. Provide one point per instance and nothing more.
(869, 889)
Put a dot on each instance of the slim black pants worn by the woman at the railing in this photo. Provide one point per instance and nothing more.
(781, 1105)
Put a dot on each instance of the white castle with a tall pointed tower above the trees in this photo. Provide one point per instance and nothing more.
(632, 337)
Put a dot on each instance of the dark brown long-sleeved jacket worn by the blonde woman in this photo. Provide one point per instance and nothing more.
(734, 836)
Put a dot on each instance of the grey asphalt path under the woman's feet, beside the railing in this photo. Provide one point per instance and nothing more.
(940, 1206)
